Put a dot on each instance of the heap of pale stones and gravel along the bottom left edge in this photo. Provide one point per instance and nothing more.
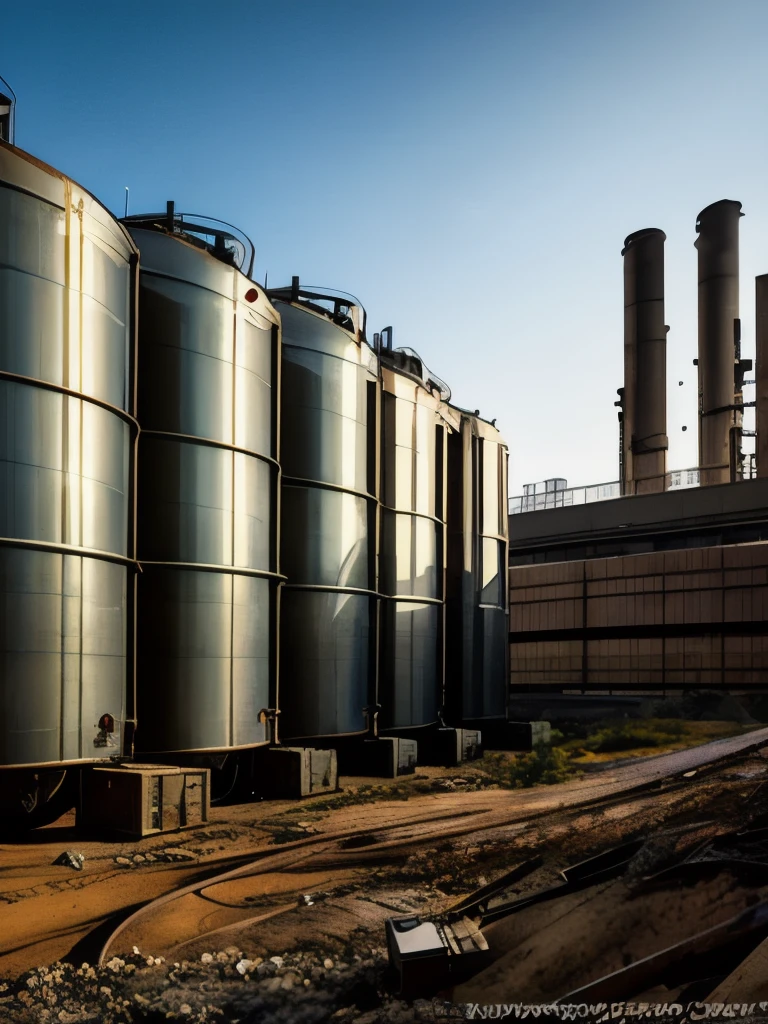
(226, 988)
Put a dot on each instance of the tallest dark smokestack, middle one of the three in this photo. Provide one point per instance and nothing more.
(719, 343)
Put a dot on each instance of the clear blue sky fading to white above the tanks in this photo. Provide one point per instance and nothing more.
(468, 169)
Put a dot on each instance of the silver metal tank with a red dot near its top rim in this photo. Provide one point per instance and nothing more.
(208, 352)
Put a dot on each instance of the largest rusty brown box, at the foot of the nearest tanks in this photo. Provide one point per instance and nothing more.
(145, 800)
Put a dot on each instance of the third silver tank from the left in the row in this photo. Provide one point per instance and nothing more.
(328, 445)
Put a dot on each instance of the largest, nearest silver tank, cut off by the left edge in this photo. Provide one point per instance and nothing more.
(67, 439)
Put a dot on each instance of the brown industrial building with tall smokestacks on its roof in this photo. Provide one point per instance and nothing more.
(658, 582)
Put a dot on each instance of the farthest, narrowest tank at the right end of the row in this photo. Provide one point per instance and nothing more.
(477, 613)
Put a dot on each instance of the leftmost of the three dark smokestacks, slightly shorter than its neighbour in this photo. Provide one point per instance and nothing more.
(645, 425)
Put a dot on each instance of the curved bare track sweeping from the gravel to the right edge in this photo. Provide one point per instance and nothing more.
(273, 883)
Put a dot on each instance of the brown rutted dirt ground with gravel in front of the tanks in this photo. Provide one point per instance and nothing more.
(303, 937)
